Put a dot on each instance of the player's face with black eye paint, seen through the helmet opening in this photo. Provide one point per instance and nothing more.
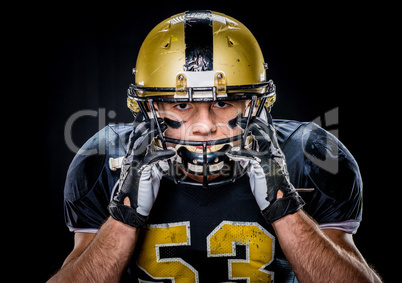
(201, 121)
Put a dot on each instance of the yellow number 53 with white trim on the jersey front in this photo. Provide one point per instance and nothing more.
(221, 242)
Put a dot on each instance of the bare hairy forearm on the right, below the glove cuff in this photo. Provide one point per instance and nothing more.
(313, 257)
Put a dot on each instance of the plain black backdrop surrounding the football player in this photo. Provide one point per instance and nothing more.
(74, 57)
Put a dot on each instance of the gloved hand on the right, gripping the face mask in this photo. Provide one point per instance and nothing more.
(266, 167)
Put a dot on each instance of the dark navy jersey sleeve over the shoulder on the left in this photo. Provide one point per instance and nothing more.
(90, 181)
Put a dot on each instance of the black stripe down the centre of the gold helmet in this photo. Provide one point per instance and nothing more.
(199, 41)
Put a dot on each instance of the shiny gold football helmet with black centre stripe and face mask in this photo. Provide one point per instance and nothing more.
(214, 68)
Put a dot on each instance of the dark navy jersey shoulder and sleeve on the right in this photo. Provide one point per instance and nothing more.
(317, 160)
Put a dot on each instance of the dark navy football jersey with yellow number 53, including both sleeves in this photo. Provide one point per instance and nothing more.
(217, 234)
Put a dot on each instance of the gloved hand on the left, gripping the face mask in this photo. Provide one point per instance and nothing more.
(141, 172)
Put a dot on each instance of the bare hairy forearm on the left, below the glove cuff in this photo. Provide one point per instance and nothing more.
(105, 258)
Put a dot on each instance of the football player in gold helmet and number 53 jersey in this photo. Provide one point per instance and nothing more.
(205, 186)
